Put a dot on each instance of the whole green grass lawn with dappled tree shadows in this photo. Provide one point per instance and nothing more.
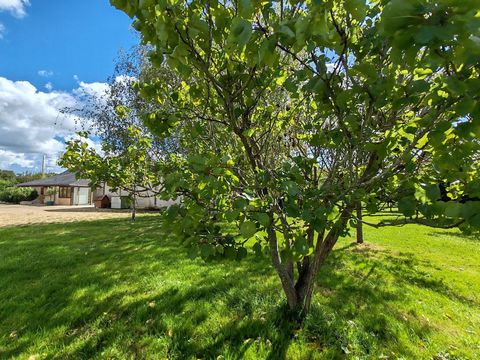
(112, 289)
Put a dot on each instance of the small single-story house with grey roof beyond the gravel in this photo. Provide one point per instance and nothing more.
(61, 189)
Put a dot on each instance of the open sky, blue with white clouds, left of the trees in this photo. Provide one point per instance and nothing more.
(51, 53)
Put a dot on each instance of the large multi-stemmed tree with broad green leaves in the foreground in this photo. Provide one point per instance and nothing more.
(374, 96)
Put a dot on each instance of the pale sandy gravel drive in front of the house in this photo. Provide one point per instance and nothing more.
(11, 215)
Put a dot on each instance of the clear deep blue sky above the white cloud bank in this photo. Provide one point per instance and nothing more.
(66, 37)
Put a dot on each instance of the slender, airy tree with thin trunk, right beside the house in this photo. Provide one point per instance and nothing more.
(130, 151)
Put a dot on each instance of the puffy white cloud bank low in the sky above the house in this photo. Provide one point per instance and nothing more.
(31, 121)
